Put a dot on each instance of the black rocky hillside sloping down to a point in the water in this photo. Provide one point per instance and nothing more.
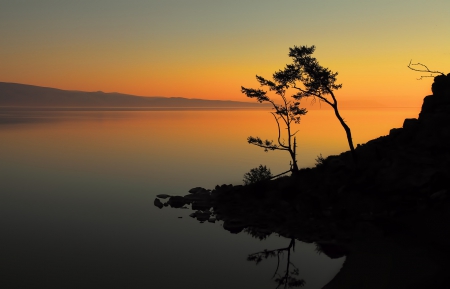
(389, 217)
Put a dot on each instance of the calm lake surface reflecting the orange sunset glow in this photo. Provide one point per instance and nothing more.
(77, 191)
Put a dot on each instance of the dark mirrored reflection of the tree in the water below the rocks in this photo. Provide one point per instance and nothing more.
(290, 277)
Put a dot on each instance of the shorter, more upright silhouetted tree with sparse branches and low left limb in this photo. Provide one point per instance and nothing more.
(288, 112)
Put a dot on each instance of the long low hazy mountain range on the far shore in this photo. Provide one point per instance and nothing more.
(22, 95)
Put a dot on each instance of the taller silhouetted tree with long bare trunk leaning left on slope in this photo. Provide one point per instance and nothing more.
(310, 79)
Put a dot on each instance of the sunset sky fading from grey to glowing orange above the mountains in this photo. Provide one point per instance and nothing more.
(208, 49)
